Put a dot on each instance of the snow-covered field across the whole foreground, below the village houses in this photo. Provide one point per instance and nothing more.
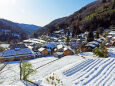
(84, 69)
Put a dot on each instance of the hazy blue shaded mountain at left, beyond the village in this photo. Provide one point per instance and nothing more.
(13, 31)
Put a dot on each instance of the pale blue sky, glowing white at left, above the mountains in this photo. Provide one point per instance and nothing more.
(39, 12)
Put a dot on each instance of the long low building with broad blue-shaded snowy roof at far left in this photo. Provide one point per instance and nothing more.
(25, 53)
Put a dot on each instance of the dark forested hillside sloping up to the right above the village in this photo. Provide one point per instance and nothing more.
(100, 13)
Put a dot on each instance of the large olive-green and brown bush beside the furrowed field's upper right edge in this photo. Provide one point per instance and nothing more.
(101, 51)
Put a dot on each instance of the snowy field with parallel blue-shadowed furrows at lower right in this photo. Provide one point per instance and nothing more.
(92, 72)
